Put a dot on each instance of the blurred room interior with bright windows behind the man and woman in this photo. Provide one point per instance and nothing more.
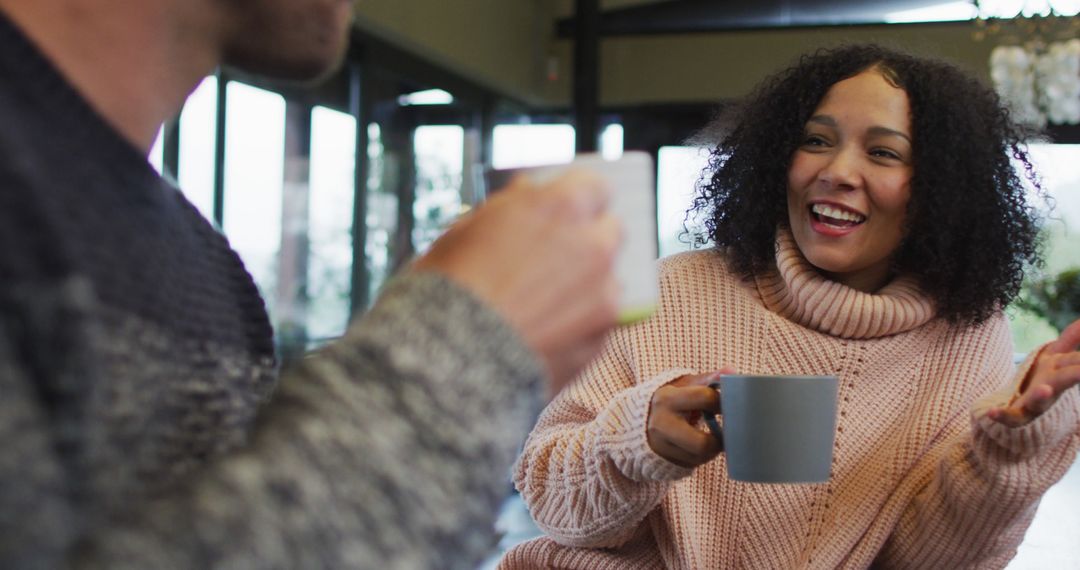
(326, 191)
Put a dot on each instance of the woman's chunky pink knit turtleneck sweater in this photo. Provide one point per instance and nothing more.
(921, 479)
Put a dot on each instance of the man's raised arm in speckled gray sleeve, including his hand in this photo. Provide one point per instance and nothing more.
(388, 450)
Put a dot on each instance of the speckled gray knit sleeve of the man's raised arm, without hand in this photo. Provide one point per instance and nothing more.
(390, 450)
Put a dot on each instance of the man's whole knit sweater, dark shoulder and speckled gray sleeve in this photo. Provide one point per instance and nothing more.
(142, 420)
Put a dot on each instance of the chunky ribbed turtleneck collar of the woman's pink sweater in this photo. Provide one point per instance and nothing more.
(798, 292)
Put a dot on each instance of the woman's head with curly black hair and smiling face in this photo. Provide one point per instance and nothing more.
(929, 130)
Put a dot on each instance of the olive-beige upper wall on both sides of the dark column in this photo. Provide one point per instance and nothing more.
(509, 46)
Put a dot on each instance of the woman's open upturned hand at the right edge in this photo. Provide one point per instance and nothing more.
(1057, 370)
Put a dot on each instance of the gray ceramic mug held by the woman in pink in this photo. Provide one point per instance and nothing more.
(777, 429)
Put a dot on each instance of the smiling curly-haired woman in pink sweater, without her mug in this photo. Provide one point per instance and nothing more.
(868, 225)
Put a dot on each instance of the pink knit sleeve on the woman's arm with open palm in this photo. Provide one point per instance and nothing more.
(981, 486)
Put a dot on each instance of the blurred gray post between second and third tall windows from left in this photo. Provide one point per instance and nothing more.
(292, 293)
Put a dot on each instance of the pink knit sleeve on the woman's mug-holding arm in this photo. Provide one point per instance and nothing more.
(588, 473)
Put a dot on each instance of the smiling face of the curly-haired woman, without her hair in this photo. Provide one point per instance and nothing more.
(849, 182)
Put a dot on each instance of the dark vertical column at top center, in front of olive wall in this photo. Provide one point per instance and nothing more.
(587, 43)
